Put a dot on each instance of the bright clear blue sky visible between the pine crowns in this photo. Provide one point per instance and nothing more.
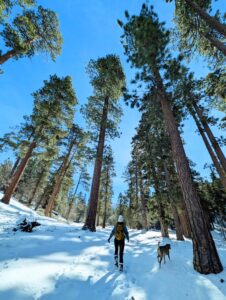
(90, 30)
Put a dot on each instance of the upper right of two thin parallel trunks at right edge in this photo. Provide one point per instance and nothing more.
(211, 137)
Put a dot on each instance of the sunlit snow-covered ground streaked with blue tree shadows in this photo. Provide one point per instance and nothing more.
(58, 261)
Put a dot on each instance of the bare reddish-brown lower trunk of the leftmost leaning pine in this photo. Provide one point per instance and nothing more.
(18, 174)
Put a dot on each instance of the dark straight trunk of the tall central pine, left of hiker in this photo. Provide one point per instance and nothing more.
(93, 202)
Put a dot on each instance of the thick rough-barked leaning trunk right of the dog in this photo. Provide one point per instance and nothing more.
(206, 259)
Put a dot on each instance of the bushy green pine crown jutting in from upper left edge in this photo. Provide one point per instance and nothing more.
(35, 31)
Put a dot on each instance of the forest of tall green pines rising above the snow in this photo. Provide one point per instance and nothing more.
(60, 166)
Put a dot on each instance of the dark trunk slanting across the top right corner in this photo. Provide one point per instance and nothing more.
(211, 21)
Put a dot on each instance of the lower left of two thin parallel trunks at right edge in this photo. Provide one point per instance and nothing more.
(211, 153)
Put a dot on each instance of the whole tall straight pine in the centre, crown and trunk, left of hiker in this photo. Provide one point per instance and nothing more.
(103, 114)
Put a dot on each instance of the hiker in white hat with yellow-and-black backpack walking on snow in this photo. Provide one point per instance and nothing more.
(120, 232)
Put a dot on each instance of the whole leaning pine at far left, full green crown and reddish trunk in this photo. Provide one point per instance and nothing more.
(52, 115)
